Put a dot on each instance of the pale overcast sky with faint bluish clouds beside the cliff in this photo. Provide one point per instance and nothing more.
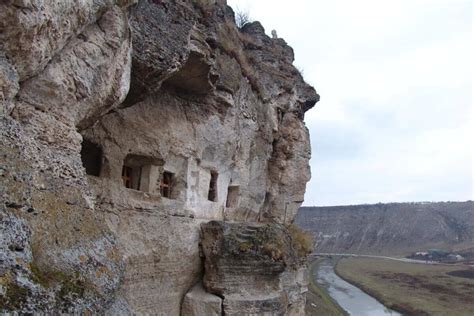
(395, 120)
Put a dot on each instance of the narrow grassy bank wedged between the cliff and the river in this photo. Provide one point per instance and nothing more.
(318, 300)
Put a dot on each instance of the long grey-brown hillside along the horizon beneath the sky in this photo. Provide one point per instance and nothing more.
(393, 228)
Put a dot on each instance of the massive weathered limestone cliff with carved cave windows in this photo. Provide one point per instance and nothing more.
(125, 126)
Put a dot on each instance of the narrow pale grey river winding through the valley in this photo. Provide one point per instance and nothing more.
(349, 297)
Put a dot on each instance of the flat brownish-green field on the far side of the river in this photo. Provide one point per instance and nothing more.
(413, 289)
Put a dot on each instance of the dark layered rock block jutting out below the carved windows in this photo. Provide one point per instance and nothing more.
(254, 267)
